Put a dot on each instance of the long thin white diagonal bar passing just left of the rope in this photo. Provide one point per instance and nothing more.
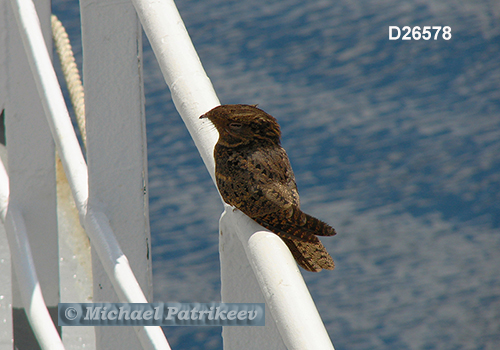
(95, 222)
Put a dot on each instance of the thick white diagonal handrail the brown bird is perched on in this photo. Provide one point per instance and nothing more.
(294, 312)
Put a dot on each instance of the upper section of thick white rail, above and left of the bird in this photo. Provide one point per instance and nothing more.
(192, 91)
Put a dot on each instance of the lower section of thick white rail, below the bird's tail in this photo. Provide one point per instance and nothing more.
(285, 292)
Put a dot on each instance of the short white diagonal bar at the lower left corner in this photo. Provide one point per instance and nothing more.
(22, 259)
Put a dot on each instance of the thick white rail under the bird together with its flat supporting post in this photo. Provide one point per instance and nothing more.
(281, 284)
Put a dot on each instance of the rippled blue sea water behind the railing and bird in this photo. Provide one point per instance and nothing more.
(394, 143)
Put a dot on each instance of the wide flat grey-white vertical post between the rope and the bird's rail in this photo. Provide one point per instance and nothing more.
(116, 145)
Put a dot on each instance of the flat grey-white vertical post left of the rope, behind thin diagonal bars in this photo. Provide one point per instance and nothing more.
(31, 159)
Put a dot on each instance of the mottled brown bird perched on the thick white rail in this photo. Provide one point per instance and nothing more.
(254, 175)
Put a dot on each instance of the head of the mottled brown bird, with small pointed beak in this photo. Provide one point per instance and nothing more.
(243, 124)
